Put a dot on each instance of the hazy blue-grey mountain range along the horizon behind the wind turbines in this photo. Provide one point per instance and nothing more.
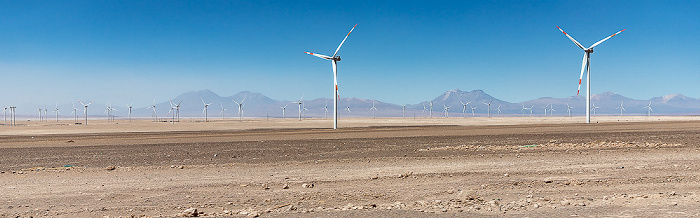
(259, 105)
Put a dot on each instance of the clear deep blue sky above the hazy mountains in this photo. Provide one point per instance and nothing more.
(400, 52)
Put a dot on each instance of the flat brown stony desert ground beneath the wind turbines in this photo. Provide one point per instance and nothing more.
(618, 166)
